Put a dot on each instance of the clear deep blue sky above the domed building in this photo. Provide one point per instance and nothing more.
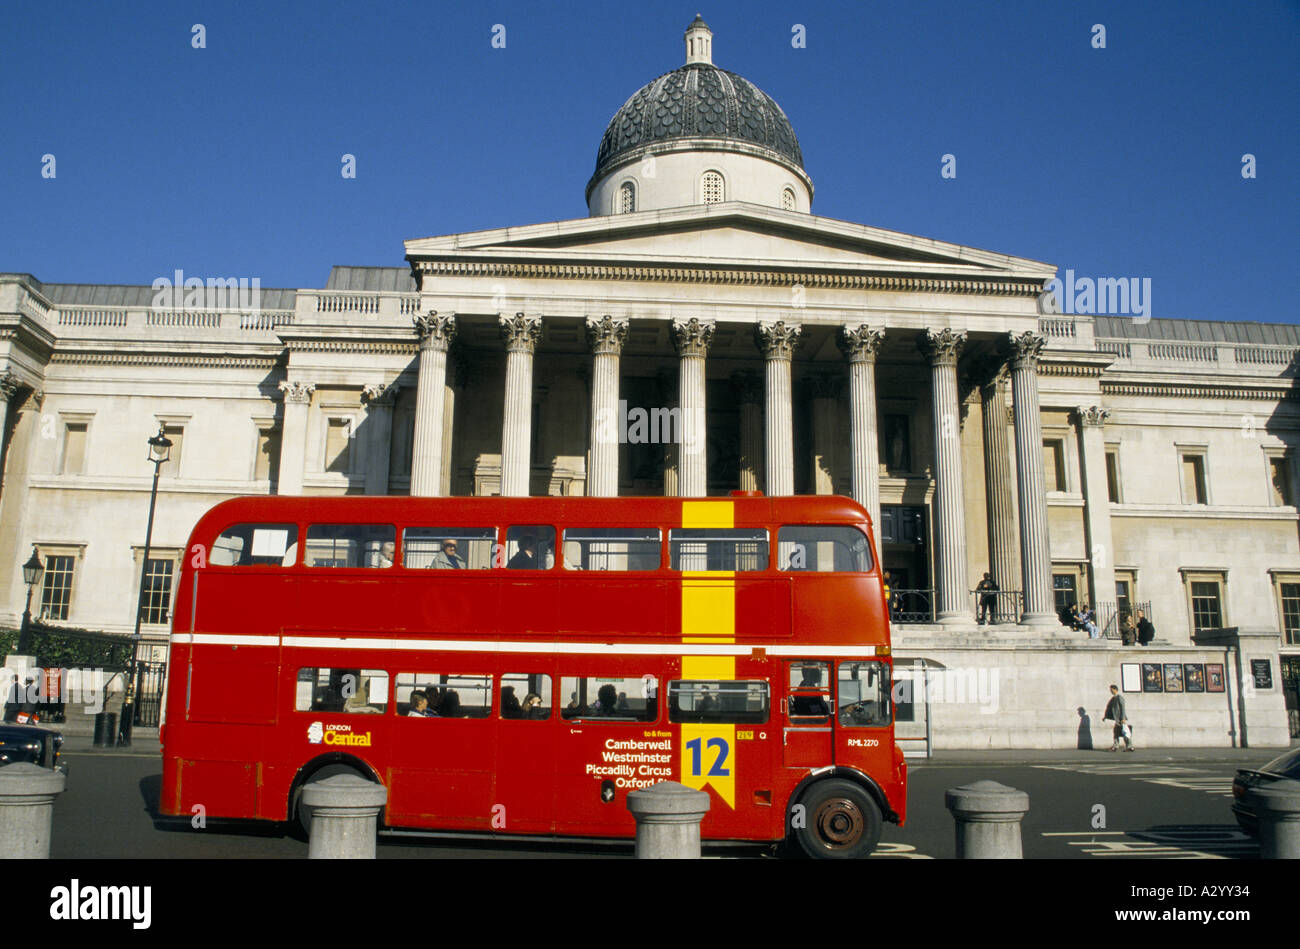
(1124, 162)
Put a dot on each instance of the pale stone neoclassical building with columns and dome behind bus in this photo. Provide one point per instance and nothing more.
(701, 332)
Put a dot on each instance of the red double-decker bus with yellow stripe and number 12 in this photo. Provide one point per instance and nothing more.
(517, 666)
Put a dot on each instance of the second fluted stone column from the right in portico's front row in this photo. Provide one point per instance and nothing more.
(943, 348)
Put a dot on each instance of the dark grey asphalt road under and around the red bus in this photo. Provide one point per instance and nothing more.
(1089, 807)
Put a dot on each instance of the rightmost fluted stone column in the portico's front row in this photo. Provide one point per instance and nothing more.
(1035, 545)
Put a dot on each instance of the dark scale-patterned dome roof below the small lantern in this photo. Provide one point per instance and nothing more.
(699, 101)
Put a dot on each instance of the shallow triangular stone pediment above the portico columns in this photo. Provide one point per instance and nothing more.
(727, 236)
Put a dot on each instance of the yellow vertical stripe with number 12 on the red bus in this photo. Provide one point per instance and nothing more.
(709, 616)
